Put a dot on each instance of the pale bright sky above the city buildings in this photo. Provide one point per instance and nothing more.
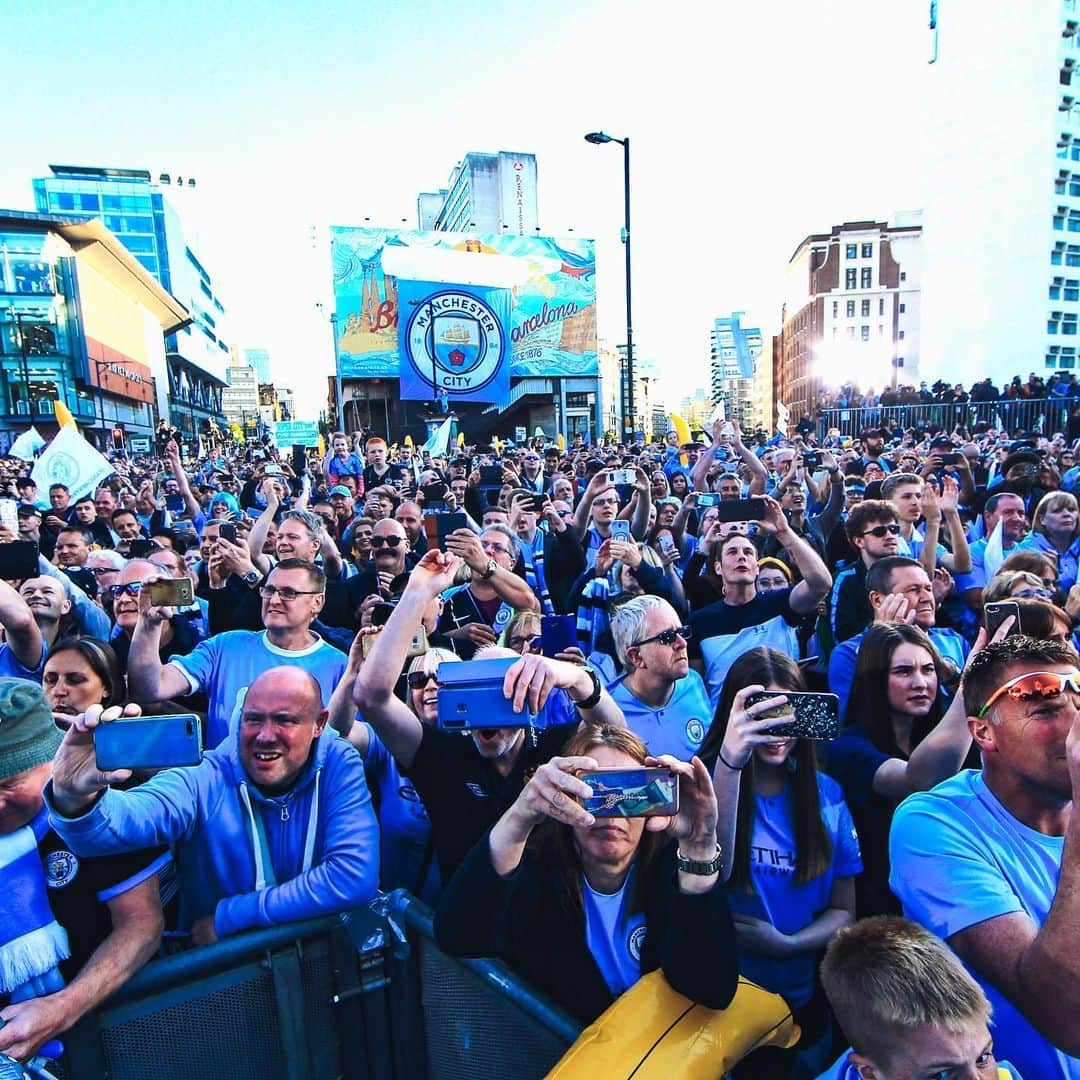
(751, 126)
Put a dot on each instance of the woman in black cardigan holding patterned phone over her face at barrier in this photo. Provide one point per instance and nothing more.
(597, 902)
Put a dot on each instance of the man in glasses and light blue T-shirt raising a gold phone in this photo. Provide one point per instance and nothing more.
(225, 666)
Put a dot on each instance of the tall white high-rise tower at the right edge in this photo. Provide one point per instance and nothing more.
(1002, 143)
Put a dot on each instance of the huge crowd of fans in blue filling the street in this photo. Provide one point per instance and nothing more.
(911, 886)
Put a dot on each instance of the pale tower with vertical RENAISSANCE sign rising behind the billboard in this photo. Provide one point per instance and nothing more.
(487, 193)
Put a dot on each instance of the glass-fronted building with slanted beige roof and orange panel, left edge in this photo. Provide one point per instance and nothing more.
(82, 322)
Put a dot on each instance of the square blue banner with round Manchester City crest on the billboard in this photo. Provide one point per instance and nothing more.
(454, 341)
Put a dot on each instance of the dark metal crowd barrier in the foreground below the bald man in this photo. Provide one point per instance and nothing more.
(367, 996)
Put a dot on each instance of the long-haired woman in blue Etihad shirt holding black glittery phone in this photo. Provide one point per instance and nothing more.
(790, 847)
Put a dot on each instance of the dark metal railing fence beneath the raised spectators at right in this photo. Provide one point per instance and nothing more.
(1046, 416)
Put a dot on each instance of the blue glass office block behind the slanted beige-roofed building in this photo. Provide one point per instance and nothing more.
(144, 217)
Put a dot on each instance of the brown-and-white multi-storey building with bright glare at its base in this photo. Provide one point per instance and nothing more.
(850, 313)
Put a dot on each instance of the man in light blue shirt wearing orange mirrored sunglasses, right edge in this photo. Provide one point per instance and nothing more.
(991, 861)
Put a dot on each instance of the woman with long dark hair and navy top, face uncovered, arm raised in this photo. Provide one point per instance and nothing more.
(896, 741)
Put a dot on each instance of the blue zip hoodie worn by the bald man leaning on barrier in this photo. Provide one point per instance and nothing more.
(322, 836)
